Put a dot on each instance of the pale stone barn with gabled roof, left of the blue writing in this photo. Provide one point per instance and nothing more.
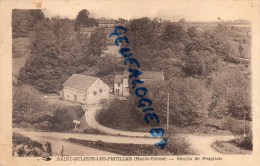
(85, 89)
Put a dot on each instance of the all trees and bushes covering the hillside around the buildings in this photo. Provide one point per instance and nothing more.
(200, 61)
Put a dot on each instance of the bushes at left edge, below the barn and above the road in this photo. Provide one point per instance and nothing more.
(31, 111)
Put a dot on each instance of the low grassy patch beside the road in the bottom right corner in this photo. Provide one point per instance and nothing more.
(228, 147)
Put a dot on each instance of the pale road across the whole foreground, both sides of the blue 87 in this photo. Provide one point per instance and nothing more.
(201, 144)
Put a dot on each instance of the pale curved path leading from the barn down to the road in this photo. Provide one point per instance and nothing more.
(90, 114)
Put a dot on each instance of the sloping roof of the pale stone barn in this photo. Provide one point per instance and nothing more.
(79, 81)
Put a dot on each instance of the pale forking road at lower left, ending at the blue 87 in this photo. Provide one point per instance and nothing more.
(58, 139)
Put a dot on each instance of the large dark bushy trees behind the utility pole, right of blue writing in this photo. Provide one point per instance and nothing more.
(189, 100)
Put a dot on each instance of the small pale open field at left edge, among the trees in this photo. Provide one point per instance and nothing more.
(21, 52)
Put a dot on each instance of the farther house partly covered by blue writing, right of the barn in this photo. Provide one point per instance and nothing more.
(121, 86)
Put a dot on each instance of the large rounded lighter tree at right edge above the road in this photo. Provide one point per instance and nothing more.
(231, 93)
